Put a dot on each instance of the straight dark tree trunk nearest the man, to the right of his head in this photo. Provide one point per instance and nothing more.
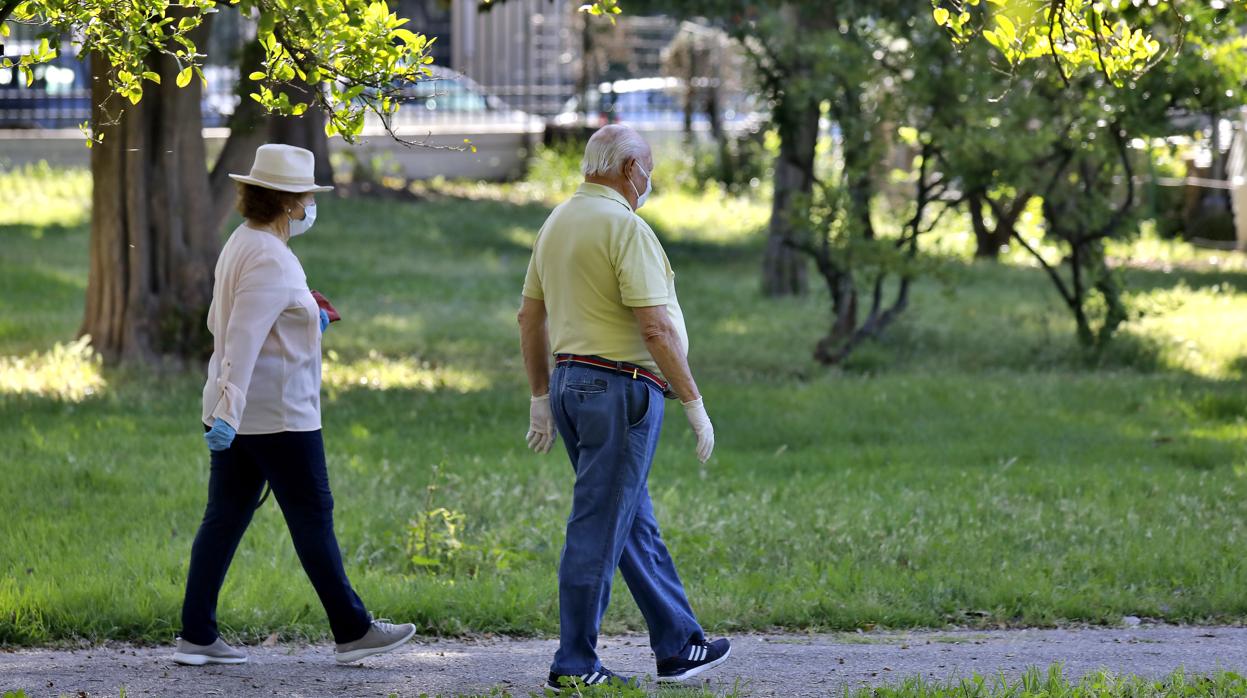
(784, 269)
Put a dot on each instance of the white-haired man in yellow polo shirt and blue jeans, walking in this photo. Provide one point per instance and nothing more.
(600, 297)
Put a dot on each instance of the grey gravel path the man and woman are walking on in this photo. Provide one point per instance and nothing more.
(765, 665)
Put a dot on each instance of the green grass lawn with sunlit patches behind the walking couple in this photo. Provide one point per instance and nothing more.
(972, 469)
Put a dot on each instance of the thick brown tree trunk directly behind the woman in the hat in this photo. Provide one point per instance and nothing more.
(153, 250)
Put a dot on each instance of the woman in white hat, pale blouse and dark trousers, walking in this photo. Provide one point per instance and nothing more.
(262, 416)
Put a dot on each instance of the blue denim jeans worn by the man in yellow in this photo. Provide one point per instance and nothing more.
(610, 426)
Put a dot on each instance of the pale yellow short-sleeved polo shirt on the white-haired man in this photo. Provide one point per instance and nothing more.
(593, 262)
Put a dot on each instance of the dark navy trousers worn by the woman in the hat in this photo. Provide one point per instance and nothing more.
(294, 466)
